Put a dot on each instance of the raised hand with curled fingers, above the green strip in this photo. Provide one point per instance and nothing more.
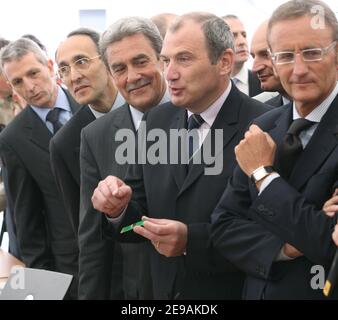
(111, 196)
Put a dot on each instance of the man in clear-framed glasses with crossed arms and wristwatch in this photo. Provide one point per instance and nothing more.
(271, 226)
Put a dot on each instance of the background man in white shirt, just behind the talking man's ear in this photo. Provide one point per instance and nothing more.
(245, 80)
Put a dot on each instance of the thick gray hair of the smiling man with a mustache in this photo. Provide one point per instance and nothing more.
(127, 27)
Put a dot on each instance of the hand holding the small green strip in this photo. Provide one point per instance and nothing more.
(169, 237)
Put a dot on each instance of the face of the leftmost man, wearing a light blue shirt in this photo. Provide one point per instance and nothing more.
(32, 80)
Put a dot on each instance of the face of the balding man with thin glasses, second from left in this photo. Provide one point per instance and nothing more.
(88, 86)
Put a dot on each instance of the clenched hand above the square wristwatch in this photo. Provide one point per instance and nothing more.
(255, 150)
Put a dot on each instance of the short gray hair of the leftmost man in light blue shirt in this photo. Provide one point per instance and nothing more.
(17, 49)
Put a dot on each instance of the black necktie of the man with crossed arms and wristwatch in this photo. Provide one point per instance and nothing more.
(292, 146)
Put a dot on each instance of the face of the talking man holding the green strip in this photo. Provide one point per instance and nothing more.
(194, 82)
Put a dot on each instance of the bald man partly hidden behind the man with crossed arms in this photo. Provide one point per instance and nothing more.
(263, 68)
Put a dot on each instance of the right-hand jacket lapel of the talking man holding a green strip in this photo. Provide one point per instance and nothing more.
(226, 120)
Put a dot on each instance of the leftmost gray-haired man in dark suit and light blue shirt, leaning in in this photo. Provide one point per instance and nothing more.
(45, 235)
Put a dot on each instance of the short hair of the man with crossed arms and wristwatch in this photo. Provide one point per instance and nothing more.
(299, 8)
